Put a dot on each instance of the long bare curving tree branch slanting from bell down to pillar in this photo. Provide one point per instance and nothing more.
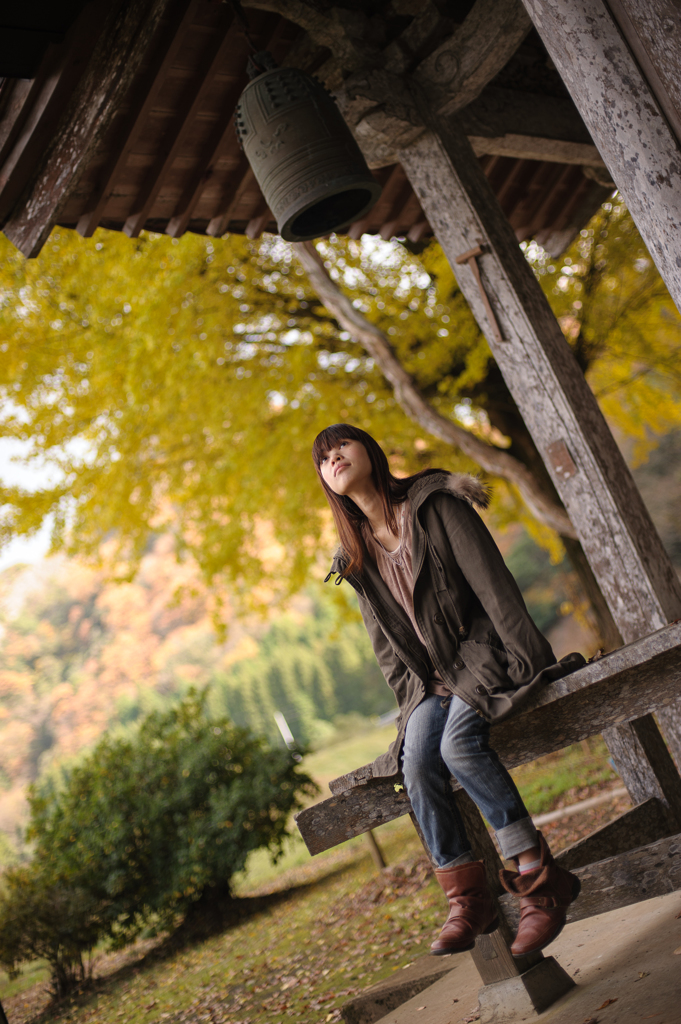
(409, 397)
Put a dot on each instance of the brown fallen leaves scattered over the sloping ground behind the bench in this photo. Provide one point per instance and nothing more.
(303, 956)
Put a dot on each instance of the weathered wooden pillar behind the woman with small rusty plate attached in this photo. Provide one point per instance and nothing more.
(591, 477)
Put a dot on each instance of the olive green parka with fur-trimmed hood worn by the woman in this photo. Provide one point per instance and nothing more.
(478, 631)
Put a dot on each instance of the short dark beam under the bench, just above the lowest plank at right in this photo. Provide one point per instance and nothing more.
(642, 825)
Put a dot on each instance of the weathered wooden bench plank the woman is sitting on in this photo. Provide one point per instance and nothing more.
(633, 681)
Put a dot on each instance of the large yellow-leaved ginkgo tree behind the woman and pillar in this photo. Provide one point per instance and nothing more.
(178, 385)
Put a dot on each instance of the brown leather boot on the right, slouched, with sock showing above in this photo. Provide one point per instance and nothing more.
(545, 893)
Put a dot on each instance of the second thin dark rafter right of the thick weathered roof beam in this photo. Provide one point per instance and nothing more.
(193, 99)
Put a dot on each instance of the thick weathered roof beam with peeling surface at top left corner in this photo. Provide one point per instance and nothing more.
(126, 32)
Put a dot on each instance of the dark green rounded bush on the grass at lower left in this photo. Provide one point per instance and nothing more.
(148, 830)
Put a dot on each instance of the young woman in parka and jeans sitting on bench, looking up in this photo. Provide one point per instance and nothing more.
(456, 645)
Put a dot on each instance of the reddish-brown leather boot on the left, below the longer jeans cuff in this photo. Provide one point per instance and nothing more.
(473, 911)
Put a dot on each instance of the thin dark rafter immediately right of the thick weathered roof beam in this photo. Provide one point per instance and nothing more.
(165, 53)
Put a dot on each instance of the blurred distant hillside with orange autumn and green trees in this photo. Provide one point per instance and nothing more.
(80, 656)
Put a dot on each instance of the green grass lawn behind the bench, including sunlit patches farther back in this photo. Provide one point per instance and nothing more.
(325, 927)
